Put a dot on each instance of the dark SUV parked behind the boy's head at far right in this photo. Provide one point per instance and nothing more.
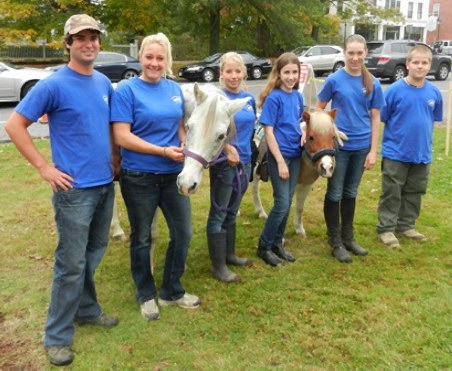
(387, 59)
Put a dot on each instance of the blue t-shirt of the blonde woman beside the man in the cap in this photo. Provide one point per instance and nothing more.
(154, 111)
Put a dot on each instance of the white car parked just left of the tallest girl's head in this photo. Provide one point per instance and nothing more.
(323, 58)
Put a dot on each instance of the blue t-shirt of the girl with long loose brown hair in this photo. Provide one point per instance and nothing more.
(283, 111)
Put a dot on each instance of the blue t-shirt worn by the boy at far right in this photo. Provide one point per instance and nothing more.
(409, 116)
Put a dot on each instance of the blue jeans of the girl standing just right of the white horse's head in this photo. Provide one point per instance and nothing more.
(226, 196)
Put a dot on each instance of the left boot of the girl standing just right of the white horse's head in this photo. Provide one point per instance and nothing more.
(217, 253)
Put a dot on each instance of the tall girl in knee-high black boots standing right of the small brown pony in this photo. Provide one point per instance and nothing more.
(358, 98)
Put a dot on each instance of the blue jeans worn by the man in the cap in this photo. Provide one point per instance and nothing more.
(83, 218)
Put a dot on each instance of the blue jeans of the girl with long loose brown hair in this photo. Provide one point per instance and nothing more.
(283, 191)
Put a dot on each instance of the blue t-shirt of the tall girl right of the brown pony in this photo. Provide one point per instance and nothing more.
(347, 94)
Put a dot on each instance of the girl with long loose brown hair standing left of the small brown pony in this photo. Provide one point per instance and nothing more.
(282, 107)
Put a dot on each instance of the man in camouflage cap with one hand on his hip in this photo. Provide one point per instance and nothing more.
(76, 99)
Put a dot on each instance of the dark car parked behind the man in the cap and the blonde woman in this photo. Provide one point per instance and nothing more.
(115, 66)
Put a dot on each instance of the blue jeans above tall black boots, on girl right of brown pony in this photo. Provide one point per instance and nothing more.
(347, 175)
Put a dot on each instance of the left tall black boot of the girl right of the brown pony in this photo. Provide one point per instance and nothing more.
(331, 213)
